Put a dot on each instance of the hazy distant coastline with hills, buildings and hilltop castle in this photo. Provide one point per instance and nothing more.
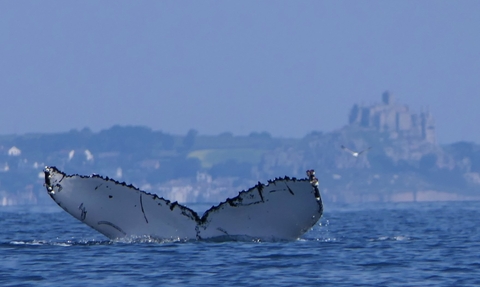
(405, 163)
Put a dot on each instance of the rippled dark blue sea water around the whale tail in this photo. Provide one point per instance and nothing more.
(410, 244)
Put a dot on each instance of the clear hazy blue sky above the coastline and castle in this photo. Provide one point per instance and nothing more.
(285, 67)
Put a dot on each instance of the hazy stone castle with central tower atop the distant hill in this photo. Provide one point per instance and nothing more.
(394, 118)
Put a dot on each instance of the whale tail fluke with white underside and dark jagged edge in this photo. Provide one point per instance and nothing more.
(284, 209)
